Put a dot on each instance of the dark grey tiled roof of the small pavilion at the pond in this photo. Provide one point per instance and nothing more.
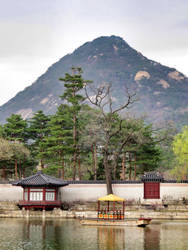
(40, 179)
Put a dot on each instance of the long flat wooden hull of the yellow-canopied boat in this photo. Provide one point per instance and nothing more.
(141, 222)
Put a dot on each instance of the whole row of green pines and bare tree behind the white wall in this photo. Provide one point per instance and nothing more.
(89, 137)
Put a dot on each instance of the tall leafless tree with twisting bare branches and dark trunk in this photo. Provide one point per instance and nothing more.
(112, 123)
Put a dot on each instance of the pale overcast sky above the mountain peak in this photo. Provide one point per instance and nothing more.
(35, 34)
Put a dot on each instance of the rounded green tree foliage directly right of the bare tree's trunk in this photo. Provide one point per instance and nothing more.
(137, 139)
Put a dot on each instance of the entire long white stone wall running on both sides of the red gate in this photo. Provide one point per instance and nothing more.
(91, 192)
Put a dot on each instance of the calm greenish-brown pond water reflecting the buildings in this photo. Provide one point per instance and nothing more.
(17, 234)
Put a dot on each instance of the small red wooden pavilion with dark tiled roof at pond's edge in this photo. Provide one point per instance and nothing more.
(40, 191)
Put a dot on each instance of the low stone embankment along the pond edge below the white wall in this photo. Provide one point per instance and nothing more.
(11, 210)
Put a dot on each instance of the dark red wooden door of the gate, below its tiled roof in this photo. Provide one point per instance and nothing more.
(152, 190)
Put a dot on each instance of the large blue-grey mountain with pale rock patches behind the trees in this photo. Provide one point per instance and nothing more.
(162, 91)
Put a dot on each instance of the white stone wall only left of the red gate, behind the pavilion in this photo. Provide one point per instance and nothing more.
(78, 192)
